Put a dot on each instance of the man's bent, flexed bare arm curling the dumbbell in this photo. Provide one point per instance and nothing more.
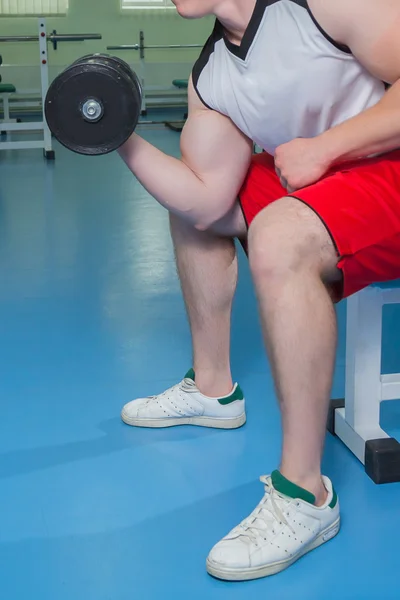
(203, 185)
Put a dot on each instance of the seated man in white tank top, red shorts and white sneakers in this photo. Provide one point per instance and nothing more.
(317, 86)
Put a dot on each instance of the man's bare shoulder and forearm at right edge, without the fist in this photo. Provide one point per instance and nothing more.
(371, 30)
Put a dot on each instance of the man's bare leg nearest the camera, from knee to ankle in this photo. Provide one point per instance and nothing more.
(291, 255)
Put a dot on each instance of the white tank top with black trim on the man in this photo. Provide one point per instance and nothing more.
(287, 79)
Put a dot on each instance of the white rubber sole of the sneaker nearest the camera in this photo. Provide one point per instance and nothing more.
(272, 569)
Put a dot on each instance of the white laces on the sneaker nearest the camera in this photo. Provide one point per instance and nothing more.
(267, 514)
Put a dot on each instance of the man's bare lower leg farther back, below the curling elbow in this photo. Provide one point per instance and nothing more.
(207, 267)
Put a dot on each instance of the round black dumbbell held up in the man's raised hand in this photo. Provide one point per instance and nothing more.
(93, 106)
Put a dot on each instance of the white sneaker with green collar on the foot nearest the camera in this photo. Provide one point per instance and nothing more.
(284, 526)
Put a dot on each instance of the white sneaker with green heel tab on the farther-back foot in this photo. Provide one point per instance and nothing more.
(183, 404)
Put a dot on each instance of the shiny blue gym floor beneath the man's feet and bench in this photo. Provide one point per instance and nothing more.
(91, 317)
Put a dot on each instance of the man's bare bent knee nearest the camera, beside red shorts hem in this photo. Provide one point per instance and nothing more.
(282, 243)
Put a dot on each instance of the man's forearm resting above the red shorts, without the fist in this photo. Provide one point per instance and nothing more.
(374, 131)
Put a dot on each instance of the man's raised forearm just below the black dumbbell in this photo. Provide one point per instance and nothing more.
(170, 181)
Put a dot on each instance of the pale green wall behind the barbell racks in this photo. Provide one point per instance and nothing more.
(105, 17)
